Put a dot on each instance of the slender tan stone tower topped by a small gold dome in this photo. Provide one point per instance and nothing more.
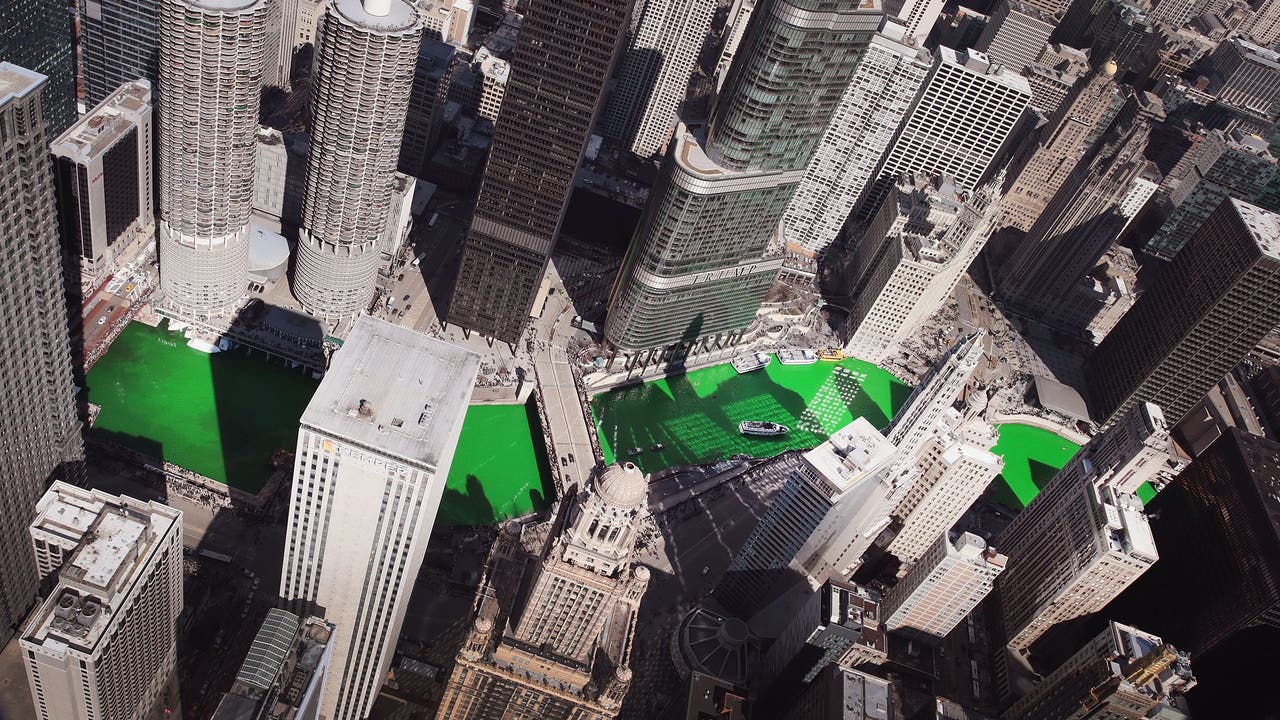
(1039, 176)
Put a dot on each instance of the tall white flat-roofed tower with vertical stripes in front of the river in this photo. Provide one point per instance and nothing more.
(374, 452)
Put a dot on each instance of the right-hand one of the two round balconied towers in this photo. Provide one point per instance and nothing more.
(364, 74)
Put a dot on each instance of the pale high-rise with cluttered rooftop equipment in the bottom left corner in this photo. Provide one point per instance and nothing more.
(104, 642)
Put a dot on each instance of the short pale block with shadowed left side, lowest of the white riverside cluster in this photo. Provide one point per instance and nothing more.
(943, 587)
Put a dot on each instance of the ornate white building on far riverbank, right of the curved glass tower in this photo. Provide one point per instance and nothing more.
(911, 257)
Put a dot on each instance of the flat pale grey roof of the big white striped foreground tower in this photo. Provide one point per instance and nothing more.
(395, 391)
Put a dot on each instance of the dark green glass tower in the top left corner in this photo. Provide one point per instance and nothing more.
(38, 35)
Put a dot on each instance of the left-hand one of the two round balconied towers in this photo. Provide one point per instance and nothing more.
(212, 60)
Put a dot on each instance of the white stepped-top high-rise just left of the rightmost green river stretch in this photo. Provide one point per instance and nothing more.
(944, 479)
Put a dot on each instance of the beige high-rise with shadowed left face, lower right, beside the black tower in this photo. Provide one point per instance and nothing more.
(1071, 552)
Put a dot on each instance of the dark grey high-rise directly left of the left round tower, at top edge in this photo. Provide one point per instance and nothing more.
(120, 43)
